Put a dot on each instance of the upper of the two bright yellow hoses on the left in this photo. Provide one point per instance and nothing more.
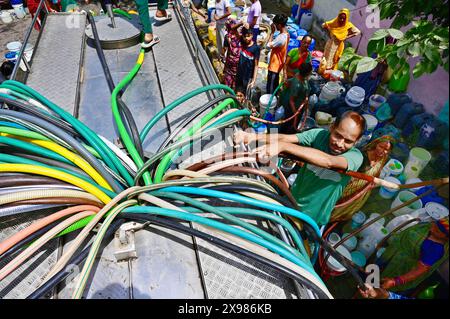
(71, 156)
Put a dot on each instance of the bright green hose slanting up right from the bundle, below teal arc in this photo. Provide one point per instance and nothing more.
(165, 162)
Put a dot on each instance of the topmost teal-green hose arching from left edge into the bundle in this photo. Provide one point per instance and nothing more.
(106, 154)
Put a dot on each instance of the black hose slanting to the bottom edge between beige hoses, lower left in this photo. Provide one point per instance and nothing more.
(75, 260)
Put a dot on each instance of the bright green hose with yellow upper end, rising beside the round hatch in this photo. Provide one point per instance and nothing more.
(128, 142)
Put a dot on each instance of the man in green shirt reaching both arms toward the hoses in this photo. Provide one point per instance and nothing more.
(317, 187)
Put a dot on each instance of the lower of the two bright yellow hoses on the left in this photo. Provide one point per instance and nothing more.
(44, 171)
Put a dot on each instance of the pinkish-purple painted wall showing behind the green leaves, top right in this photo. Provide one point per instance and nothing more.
(432, 90)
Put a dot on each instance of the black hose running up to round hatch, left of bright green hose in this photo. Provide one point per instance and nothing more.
(125, 113)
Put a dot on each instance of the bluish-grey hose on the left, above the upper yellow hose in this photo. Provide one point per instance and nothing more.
(95, 163)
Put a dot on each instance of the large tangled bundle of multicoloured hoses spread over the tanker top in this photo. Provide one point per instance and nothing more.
(49, 159)
